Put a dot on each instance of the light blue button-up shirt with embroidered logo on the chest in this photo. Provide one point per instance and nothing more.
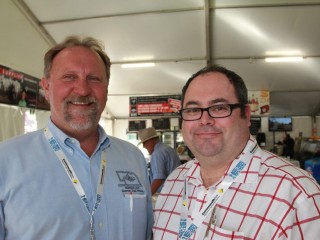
(38, 201)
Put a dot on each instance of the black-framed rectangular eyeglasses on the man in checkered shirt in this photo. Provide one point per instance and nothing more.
(215, 111)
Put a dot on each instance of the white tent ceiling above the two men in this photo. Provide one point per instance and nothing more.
(181, 36)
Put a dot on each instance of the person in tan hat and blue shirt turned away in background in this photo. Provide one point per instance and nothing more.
(163, 158)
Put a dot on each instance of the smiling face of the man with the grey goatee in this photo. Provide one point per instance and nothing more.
(76, 89)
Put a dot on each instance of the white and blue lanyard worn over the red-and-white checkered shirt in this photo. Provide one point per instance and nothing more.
(199, 216)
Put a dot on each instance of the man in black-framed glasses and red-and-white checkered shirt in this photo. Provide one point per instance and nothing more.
(233, 189)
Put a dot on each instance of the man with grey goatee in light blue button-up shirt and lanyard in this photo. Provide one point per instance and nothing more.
(71, 180)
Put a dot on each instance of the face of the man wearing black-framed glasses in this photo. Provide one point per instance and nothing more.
(212, 137)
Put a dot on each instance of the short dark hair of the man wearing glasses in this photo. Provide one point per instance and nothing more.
(237, 82)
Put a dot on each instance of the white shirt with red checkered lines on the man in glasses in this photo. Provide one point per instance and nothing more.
(270, 199)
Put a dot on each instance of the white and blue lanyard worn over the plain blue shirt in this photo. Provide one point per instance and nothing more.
(75, 180)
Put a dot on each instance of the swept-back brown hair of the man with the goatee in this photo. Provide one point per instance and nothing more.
(72, 41)
